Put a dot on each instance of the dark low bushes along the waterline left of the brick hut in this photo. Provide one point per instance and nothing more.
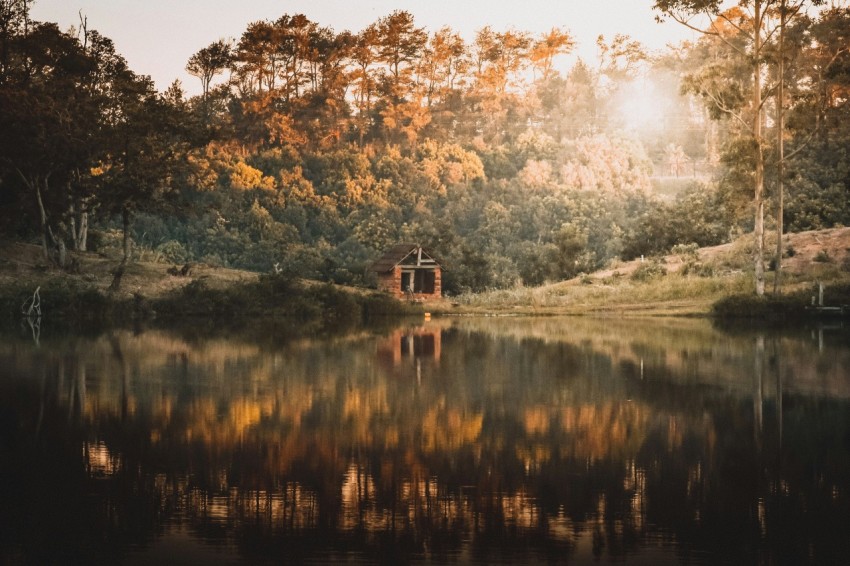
(268, 297)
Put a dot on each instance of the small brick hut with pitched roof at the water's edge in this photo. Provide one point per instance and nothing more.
(409, 271)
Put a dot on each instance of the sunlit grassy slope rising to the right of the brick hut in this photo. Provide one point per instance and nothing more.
(717, 272)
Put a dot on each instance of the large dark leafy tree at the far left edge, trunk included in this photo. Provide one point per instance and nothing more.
(53, 105)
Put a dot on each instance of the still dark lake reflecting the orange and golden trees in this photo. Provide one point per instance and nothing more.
(460, 440)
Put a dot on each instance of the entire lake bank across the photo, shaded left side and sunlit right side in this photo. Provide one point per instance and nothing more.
(691, 282)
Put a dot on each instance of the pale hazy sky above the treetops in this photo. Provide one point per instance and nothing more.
(157, 37)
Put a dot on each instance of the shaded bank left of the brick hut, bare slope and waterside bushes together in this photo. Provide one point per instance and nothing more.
(152, 291)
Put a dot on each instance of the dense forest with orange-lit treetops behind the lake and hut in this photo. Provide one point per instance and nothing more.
(311, 151)
